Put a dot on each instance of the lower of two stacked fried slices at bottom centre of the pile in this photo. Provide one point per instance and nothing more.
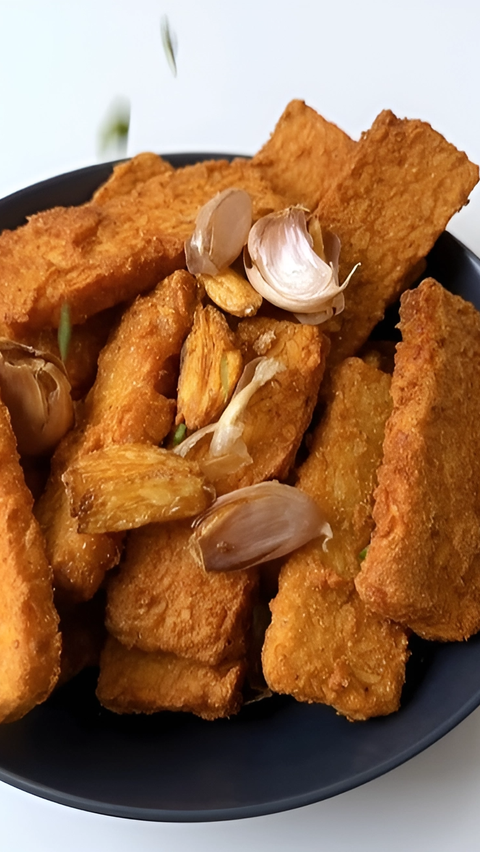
(132, 681)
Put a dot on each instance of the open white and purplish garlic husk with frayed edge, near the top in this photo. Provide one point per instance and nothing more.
(282, 265)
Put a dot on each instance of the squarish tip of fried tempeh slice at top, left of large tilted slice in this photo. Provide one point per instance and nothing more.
(304, 156)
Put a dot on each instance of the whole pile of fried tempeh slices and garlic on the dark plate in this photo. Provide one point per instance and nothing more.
(224, 487)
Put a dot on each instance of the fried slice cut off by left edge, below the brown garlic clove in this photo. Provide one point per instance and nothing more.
(30, 643)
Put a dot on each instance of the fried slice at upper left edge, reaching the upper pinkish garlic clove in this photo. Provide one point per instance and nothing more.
(86, 257)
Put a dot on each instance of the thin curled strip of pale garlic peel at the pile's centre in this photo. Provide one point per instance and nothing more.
(228, 451)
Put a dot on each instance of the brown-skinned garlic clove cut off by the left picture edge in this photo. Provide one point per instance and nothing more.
(35, 388)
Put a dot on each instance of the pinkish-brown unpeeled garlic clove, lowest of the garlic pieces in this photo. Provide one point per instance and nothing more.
(256, 524)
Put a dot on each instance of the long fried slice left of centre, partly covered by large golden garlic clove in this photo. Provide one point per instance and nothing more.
(130, 401)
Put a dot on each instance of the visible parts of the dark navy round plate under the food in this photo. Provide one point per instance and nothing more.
(276, 754)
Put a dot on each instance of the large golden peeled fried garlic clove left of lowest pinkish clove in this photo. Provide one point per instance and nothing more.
(125, 486)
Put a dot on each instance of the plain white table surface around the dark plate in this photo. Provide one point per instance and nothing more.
(62, 66)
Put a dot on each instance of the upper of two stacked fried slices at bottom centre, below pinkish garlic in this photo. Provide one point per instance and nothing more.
(162, 599)
